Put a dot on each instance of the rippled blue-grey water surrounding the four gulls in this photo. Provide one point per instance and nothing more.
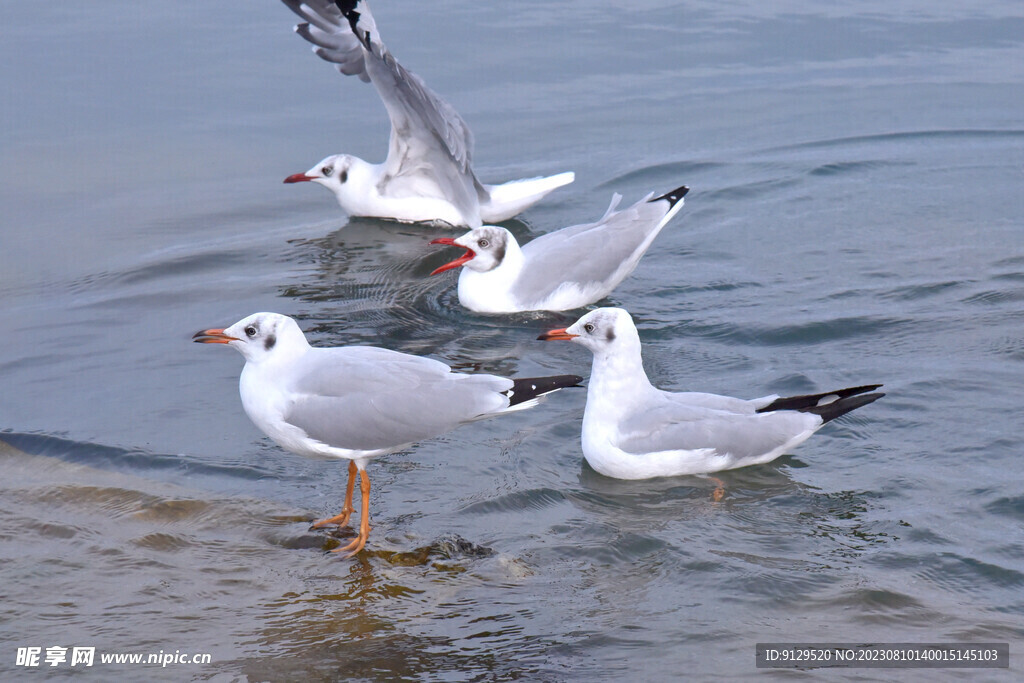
(856, 217)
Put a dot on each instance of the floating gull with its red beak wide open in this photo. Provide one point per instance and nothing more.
(561, 271)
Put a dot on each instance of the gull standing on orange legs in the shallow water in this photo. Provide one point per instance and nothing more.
(357, 403)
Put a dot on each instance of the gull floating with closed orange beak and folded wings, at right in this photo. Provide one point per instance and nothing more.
(633, 431)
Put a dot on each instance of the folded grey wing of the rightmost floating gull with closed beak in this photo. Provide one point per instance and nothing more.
(690, 429)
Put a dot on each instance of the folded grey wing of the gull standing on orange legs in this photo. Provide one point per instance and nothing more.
(368, 399)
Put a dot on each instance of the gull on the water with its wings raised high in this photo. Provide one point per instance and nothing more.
(429, 176)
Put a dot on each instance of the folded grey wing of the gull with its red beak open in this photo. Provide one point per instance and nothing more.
(604, 252)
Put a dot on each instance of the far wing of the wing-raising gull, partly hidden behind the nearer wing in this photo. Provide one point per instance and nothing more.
(333, 40)
